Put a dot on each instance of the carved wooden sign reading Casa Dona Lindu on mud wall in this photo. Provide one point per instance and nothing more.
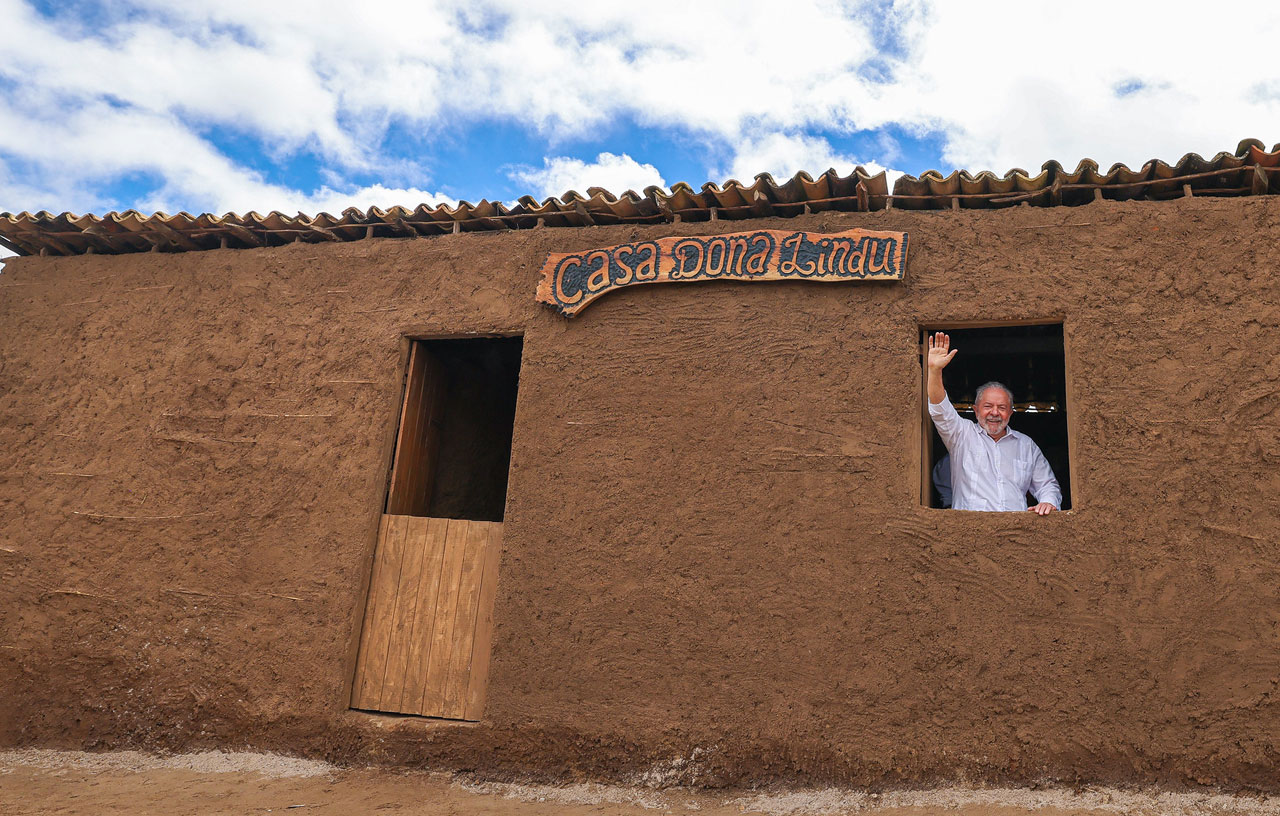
(572, 281)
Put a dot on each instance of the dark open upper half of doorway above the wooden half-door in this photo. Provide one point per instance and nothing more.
(454, 447)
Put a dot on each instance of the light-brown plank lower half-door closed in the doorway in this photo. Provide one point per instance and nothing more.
(424, 648)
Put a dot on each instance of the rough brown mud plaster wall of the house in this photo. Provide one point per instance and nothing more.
(716, 569)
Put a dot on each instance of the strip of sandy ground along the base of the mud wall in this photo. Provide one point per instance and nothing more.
(65, 782)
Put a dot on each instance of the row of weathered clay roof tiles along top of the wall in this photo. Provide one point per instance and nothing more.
(1250, 171)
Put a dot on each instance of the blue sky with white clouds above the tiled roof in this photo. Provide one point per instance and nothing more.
(237, 106)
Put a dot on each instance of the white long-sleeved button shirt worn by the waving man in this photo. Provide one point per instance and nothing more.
(989, 475)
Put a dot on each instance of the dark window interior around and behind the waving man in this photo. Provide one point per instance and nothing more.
(1031, 361)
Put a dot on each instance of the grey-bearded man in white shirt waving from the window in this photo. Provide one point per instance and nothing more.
(993, 466)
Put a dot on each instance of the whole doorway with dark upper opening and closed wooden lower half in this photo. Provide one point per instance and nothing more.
(424, 647)
